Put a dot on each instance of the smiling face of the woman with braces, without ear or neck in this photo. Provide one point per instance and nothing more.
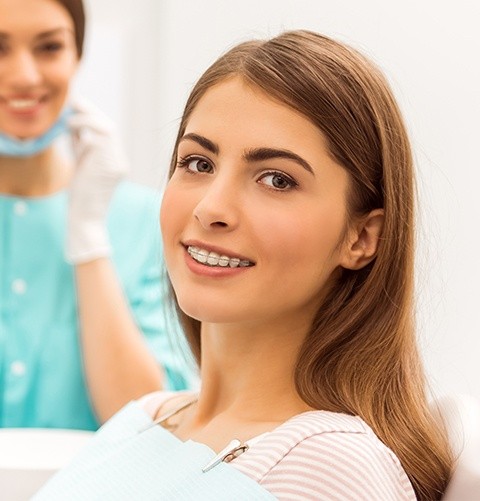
(254, 216)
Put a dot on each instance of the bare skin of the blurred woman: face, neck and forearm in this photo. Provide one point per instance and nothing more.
(38, 60)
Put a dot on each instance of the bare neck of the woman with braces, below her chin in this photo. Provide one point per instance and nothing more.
(249, 372)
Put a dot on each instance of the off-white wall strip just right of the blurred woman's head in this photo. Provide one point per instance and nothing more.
(120, 73)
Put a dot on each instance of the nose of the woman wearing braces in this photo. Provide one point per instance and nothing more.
(219, 205)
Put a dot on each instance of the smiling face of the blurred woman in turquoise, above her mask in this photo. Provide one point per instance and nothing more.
(38, 58)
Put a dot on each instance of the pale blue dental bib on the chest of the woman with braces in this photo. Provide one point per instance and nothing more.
(128, 458)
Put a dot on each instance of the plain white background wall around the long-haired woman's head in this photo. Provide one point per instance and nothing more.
(143, 57)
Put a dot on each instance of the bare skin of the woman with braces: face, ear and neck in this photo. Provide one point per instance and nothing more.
(288, 217)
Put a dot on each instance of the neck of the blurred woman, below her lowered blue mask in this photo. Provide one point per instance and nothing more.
(39, 175)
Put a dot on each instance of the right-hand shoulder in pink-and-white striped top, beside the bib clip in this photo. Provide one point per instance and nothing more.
(326, 455)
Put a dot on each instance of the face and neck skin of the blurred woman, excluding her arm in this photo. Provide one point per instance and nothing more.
(38, 59)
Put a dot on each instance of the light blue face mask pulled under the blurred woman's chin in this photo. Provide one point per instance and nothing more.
(11, 147)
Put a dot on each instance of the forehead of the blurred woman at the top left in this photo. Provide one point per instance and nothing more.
(33, 16)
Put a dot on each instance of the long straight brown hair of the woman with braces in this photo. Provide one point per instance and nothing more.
(360, 356)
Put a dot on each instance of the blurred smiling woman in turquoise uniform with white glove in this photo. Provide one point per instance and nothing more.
(50, 351)
